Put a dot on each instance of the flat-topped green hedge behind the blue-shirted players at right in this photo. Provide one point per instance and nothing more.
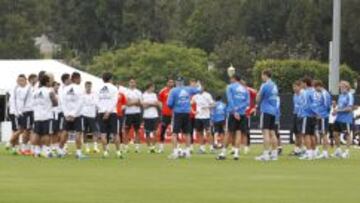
(285, 72)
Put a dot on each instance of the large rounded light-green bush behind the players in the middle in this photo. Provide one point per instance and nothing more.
(147, 61)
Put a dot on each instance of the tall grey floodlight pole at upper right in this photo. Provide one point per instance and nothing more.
(334, 69)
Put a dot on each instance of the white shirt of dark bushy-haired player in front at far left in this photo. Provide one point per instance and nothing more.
(42, 104)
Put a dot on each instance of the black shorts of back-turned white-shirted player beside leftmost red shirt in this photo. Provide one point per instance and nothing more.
(110, 125)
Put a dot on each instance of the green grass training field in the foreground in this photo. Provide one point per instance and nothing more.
(153, 178)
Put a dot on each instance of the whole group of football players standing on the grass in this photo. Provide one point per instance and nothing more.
(44, 113)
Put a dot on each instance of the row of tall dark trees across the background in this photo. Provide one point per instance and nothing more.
(232, 31)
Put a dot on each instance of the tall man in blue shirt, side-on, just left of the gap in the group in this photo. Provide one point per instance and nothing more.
(267, 99)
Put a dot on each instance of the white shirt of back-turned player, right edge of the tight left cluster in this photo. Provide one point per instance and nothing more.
(72, 100)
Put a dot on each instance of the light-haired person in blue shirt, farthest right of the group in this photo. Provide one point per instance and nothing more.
(344, 118)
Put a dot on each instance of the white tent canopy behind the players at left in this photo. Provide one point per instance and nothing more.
(10, 69)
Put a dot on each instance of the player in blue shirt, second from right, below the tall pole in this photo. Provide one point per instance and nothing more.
(321, 106)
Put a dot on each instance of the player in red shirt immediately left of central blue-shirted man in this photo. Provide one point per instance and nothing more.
(166, 113)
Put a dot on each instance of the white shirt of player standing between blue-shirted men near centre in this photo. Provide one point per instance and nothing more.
(203, 102)
